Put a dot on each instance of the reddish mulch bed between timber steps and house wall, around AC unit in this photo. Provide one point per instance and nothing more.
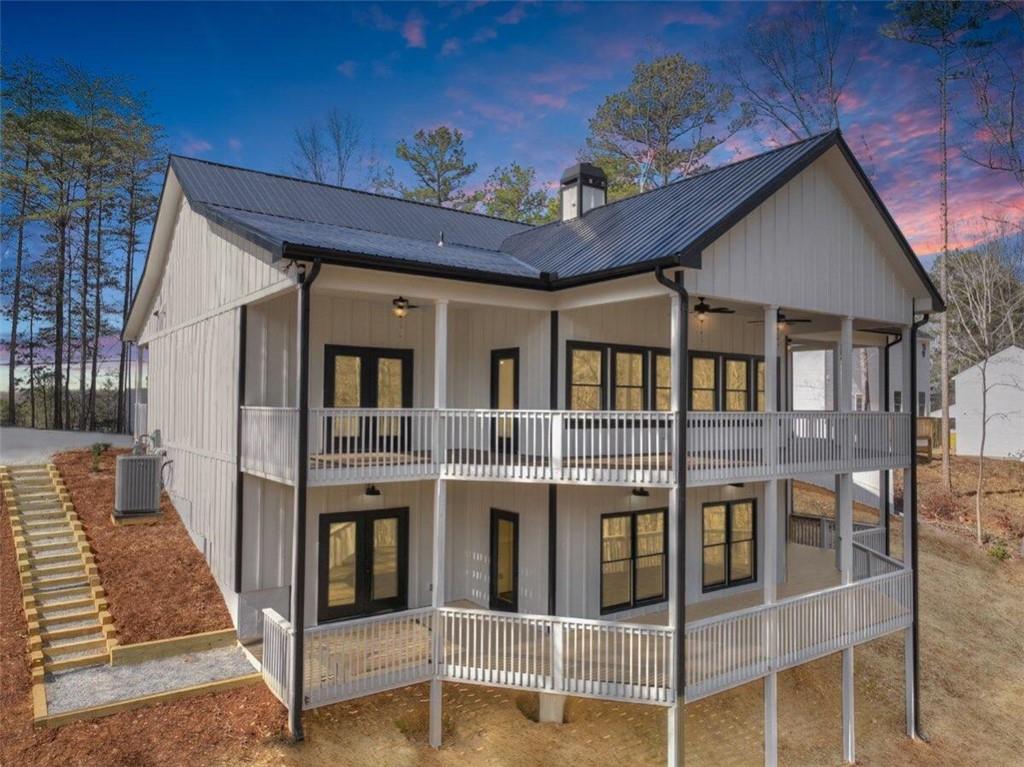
(157, 582)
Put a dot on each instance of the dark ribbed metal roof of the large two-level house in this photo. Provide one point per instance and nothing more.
(667, 227)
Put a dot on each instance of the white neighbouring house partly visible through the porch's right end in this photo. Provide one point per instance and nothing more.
(814, 389)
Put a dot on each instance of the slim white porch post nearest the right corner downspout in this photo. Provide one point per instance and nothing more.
(845, 525)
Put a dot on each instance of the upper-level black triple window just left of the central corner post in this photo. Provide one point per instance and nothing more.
(616, 377)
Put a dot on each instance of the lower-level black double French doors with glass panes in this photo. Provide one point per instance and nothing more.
(363, 564)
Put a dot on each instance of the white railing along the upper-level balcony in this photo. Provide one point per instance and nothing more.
(600, 448)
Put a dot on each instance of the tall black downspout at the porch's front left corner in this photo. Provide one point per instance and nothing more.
(300, 530)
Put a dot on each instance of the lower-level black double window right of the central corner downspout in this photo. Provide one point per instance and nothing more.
(730, 544)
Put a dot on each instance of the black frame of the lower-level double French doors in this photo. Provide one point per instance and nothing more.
(364, 604)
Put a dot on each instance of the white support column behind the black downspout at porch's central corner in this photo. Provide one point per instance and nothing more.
(676, 712)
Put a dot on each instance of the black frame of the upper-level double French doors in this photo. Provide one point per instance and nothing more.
(368, 440)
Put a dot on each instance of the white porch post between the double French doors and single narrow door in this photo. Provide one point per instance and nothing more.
(441, 514)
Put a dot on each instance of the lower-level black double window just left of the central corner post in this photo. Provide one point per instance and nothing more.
(633, 567)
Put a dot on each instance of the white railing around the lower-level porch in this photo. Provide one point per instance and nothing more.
(591, 659)
